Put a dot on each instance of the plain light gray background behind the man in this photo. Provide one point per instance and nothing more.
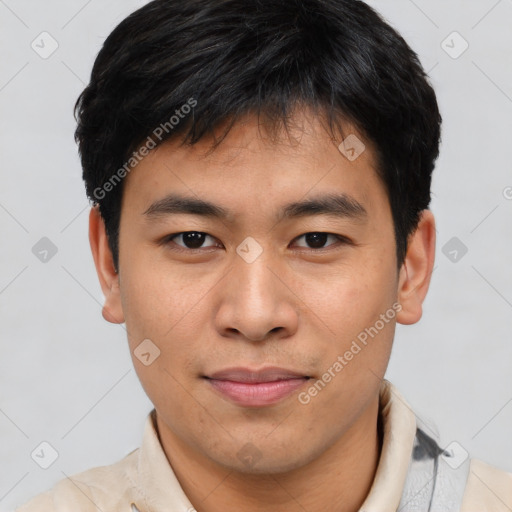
(65, 374)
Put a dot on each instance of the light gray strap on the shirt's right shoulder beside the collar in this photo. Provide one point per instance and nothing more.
(436, 478)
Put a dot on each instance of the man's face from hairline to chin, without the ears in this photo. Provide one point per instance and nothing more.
(272, 318)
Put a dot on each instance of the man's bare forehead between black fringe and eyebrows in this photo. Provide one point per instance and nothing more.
(253, 167)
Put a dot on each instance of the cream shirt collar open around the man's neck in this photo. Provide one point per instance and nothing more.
(159, 490)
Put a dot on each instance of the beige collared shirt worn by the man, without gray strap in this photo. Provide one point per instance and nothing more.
(144, 480)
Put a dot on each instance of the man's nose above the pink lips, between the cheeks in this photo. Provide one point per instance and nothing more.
(255, 302)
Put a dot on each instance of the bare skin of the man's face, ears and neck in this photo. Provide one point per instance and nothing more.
(296, 307)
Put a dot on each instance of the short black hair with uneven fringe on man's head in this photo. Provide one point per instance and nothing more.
(186, 67)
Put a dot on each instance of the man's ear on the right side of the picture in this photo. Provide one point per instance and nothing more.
(416, 271)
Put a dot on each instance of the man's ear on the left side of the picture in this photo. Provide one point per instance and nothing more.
(103, 260)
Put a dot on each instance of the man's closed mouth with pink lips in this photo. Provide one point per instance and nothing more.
(256, 388)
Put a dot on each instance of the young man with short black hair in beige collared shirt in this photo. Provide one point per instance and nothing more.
(260, 173)
